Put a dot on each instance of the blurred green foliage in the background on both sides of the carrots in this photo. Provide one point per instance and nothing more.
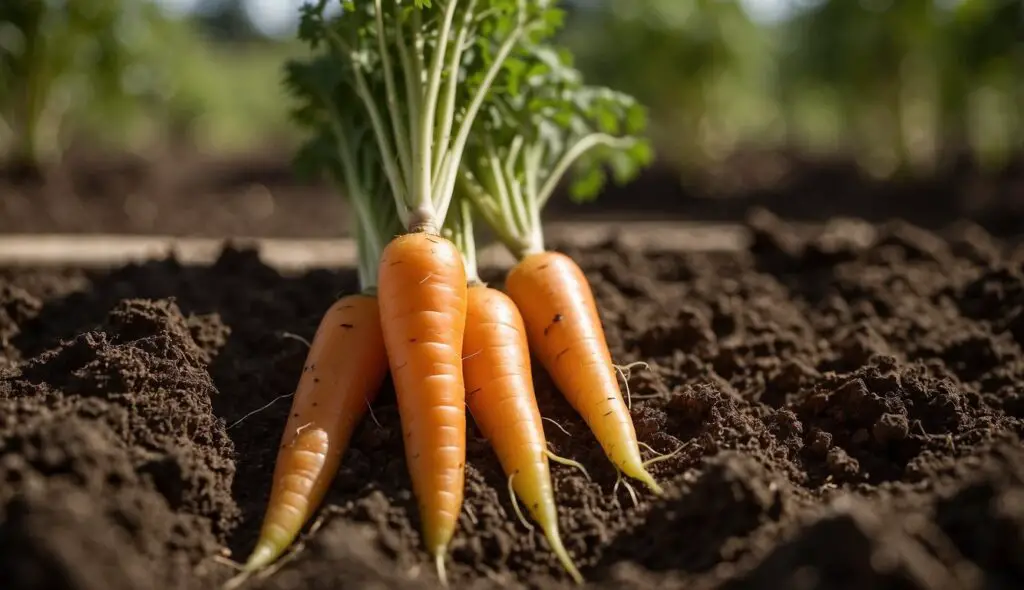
(903, 86)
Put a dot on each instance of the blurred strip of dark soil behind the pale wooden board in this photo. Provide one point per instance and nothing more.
(185, 193)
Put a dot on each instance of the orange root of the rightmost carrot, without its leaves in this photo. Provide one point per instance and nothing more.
(565, 332)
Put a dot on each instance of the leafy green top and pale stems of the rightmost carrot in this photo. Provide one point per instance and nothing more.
(546, 123)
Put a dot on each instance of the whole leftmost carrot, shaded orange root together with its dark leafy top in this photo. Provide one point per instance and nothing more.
(348, 362)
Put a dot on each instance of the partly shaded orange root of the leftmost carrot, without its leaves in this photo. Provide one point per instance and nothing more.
(344, 373)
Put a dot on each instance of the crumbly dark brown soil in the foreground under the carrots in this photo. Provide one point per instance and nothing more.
(845, 409)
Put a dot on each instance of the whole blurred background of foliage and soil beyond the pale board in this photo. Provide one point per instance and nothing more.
(169, 117)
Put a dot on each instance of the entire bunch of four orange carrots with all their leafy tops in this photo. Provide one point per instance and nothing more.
(428, 116)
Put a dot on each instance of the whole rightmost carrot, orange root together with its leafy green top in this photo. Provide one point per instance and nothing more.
(510, 174)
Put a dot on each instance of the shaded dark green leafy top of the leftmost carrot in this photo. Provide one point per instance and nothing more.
(340, 148)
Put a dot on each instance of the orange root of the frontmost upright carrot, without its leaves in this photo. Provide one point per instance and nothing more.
(422, 292)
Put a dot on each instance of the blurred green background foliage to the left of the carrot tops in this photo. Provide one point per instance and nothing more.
(121, 72)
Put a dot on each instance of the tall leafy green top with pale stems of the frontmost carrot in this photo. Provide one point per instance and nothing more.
(420, 71)
